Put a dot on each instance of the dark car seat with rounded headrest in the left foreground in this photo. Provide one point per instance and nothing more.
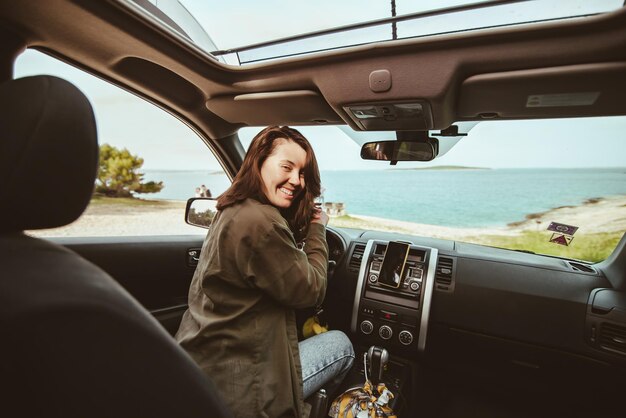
(74, 342)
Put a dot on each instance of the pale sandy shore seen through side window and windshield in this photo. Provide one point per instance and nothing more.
(167, 218)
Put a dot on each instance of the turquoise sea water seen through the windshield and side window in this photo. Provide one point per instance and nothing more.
(456, 198)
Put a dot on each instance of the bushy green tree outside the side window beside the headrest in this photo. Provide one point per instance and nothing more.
(119, 176)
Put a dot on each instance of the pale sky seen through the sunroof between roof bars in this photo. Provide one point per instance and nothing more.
(244, 22)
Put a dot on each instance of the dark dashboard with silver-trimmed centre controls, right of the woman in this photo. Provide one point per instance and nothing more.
(470, 295)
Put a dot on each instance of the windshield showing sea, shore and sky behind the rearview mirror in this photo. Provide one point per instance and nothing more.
(554, 187)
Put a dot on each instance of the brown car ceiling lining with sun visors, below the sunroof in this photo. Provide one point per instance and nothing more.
(486, 74)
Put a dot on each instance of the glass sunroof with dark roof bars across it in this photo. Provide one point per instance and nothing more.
(250, 31)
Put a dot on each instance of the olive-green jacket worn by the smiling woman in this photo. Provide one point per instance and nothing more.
(240, 326)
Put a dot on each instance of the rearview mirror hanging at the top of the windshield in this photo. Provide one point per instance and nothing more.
(400, 150)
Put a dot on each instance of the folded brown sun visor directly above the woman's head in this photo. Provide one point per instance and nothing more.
(295, 107)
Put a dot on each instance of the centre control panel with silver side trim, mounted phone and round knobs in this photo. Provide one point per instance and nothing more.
(393, 294)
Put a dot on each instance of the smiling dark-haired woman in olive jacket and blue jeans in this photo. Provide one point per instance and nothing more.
(240, 326)
